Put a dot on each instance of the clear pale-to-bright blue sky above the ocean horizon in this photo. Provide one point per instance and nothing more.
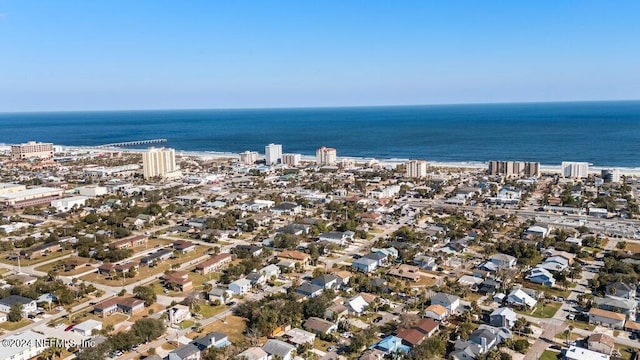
(156, 54)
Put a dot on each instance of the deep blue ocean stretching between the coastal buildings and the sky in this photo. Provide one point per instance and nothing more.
(602, 133)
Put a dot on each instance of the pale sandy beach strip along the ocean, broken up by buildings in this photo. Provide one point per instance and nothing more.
(470, 165)
